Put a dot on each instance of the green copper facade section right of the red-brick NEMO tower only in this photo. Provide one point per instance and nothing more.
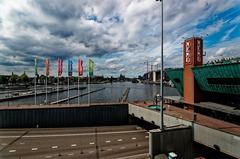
(224, 78)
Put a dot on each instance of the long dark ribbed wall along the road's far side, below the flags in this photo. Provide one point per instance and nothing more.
(64, 116)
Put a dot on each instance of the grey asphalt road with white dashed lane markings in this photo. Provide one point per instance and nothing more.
(119, 142)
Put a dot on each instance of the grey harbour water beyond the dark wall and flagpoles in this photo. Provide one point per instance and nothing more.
(112, 93)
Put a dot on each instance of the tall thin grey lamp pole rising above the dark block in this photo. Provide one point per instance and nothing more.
(161, 81)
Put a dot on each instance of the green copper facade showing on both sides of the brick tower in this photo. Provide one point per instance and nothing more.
(219, 78)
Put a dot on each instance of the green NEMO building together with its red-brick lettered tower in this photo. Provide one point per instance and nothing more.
(214, 85)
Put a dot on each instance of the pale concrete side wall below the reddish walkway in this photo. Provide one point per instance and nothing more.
(216, 139)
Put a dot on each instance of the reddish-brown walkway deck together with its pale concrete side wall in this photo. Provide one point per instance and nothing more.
(208, 131)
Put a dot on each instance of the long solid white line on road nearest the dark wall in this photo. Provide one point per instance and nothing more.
(78, 134)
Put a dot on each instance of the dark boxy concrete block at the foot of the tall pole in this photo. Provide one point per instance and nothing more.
(175, 139)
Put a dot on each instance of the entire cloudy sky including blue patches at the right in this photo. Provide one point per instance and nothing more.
(119, 35)
